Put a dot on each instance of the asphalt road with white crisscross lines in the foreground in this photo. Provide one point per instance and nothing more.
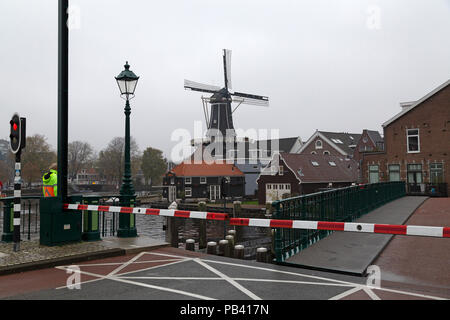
(176, 274)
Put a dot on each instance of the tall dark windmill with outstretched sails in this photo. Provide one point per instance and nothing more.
(220, 118)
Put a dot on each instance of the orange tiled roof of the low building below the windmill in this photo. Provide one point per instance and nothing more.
(206, 170)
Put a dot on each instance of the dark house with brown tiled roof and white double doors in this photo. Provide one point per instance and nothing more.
(297, 174)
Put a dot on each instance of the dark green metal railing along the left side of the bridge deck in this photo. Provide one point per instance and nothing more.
(344, 204)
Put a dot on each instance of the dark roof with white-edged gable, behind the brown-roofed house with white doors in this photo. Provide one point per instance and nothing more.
(341, 141)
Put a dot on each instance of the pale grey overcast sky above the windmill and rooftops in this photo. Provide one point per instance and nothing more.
(324, 64)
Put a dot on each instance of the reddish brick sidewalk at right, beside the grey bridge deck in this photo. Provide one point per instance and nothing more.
(419, 263)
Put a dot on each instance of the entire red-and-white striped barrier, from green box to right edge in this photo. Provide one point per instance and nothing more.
(440, 232)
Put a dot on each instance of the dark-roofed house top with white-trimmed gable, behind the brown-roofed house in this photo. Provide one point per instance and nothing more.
(331, 143)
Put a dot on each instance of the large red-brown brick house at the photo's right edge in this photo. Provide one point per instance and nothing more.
(417, 145)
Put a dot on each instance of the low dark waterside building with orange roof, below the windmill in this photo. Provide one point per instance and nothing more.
(202, 181)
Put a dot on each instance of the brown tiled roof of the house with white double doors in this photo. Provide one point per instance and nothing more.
(319, 168)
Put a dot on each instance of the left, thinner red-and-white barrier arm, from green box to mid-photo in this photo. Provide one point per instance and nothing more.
(150, 211)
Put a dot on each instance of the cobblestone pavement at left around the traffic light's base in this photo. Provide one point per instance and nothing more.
(31, 251)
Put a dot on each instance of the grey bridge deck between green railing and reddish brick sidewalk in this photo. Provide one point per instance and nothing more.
(352, 253)
